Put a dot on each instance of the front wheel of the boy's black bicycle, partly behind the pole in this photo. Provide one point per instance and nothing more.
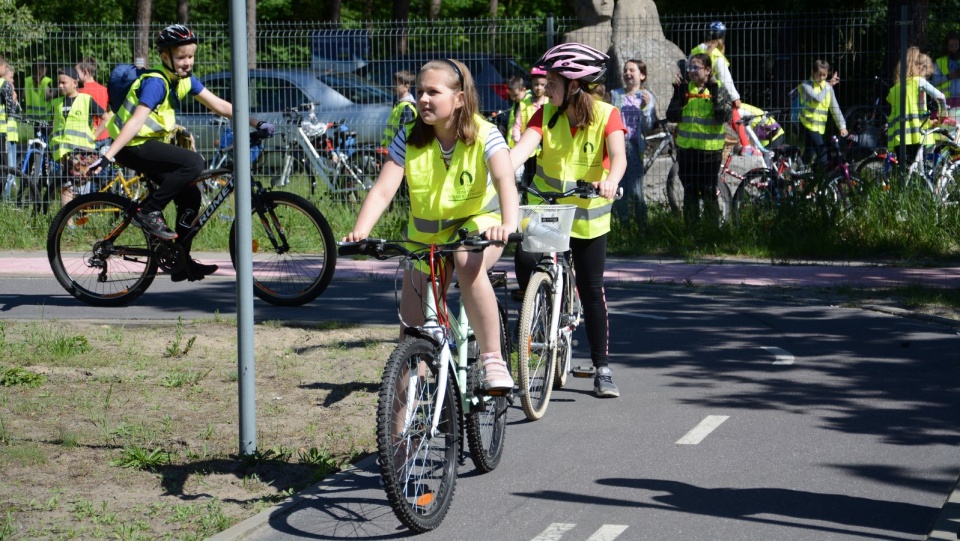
(294, 255)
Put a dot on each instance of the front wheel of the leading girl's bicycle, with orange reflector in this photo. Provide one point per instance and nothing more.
(418, 468)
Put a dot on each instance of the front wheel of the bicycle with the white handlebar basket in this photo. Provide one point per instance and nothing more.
(535, 356)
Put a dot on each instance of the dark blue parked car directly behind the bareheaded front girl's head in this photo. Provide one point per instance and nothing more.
(490, 72)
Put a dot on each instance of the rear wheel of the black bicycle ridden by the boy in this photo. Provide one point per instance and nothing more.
(98, 271)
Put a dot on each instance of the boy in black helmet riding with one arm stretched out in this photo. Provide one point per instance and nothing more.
(140, 127)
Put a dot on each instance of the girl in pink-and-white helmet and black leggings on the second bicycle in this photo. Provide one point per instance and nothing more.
(583, 138)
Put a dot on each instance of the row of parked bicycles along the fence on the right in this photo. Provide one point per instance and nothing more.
(853, 166)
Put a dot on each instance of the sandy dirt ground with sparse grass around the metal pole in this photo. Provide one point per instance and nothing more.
(131, 431)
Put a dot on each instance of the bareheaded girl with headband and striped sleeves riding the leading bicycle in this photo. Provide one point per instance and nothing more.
(449, 155)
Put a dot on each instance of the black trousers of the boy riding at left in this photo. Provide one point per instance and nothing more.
(173, 169)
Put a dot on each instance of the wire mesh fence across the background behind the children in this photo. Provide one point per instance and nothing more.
(348, 68)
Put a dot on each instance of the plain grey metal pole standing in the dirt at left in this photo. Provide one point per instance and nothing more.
(241, 160)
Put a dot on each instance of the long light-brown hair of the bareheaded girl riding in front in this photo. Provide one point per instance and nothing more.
(459, 79)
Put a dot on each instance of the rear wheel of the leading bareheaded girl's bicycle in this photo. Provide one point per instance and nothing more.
(487, 419)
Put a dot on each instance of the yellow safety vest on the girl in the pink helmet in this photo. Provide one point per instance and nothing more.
(567, 158)
